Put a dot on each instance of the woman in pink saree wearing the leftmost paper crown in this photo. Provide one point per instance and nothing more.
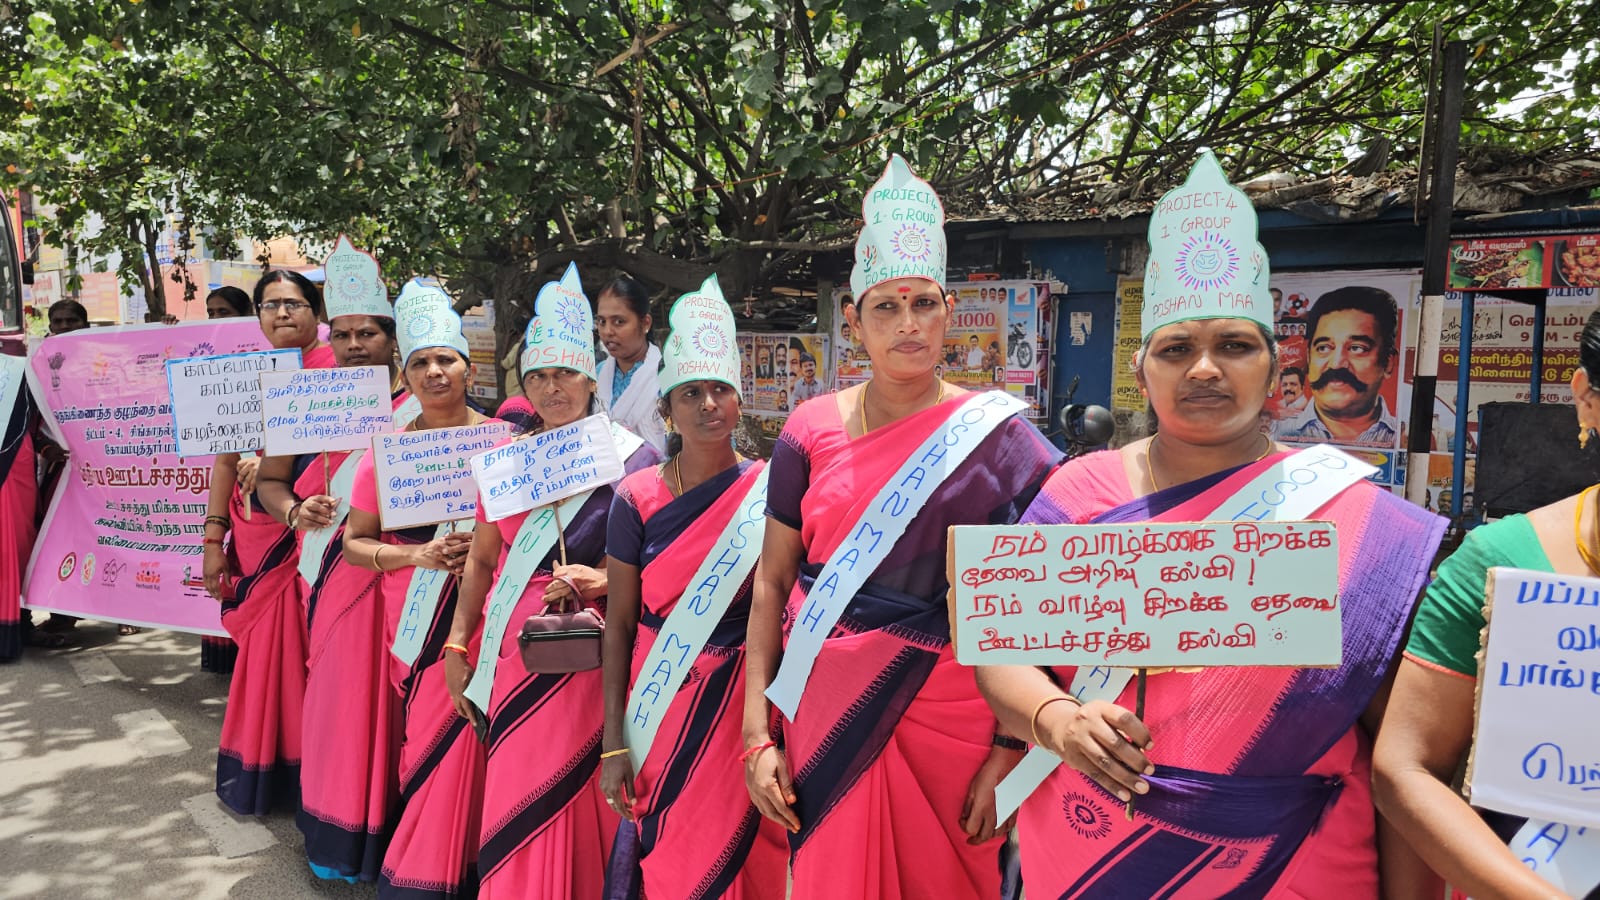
(351, 718)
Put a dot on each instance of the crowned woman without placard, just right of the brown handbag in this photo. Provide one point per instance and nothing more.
(681, 550)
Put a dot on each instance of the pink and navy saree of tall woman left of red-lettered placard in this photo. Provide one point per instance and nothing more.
(892, 731)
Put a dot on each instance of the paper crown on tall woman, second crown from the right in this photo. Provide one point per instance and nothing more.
(903, 236)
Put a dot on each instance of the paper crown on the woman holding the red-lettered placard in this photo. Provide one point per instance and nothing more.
(1206, 260)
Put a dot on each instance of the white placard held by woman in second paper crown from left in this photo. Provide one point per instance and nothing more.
(423, 476)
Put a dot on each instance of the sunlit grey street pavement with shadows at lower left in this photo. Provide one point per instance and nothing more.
(108, 757)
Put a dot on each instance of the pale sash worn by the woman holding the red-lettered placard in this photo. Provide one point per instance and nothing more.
(1289, 491)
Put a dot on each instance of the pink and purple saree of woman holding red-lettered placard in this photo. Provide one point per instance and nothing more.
(1263, 774)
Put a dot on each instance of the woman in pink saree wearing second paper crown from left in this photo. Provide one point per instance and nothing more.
(434, 843)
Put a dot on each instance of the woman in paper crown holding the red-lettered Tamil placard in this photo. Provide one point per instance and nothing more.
(1257, 781)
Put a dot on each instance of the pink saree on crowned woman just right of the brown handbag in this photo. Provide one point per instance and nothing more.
(697, 834)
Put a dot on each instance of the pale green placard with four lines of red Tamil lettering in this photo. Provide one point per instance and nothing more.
(1146, 595)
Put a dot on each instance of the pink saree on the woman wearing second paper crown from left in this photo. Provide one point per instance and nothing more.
(433, 848)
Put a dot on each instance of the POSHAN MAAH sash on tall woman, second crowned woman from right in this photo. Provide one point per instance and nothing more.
(879, 531)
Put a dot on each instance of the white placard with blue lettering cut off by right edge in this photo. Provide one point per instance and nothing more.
(1537, 736)
